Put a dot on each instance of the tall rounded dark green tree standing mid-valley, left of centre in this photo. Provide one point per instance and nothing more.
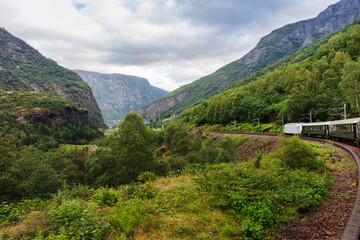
(129, 153)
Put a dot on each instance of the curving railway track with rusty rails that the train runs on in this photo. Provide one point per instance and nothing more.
(352, 229)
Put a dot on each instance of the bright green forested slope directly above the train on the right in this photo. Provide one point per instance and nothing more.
(327, 79)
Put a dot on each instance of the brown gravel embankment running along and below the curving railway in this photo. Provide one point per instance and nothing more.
(339, 215)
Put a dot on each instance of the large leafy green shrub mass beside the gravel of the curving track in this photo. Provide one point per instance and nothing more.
(262, 196)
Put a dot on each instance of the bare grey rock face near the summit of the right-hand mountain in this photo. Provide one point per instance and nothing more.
(288, 39)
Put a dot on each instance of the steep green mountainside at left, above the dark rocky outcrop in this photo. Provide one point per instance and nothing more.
(22, 68)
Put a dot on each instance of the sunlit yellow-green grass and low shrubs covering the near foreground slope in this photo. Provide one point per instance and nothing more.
(201, 201)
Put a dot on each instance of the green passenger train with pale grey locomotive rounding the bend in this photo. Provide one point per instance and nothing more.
(346, 130)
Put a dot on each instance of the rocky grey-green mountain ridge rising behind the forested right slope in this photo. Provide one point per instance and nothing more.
(278, 44)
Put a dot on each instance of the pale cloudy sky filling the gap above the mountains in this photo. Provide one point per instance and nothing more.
(169, 42)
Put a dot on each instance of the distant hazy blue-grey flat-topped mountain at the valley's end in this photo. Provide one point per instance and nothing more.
(118, 94)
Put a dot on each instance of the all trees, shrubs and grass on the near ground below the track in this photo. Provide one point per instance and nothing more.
(159, 184)
